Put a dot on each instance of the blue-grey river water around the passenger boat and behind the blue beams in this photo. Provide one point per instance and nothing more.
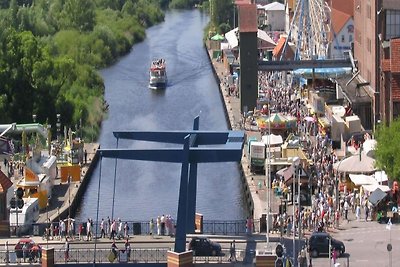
(144, 189)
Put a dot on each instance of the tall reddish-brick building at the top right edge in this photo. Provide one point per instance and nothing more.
(375, 52)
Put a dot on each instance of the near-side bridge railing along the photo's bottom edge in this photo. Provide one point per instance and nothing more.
(145, 255)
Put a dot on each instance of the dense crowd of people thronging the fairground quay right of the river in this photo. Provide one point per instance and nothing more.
(324, 212)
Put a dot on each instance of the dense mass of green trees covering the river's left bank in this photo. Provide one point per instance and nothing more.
(50, 50)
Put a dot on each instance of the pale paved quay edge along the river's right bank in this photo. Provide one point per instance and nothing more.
(255, 196)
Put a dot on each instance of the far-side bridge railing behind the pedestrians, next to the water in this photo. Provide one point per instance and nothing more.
(235, 227)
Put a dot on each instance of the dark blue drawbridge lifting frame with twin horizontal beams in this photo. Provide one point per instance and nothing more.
(193, 147)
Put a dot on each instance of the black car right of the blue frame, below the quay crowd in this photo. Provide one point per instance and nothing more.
(318, 244)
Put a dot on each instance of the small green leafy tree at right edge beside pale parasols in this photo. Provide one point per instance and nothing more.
(387, 149)
